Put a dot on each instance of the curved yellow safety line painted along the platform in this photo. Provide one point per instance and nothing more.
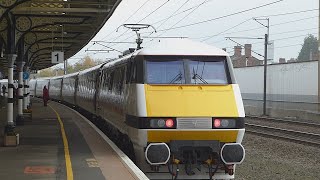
(66, 147)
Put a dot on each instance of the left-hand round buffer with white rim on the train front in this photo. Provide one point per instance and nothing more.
(157, 153)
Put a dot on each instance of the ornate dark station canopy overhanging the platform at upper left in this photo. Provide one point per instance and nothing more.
(43, 26)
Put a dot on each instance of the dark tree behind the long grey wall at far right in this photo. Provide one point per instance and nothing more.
(310, 46)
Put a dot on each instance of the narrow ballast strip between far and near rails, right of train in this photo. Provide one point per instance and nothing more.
(282, 125)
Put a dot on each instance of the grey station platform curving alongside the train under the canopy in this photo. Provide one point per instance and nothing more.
(59, 144)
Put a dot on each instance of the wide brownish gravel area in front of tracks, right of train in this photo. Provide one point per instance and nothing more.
(270, 159)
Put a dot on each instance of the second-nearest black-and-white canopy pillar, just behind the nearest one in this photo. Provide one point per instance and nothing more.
(20, 94)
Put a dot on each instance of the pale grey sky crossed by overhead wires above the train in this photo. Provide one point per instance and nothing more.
(286, 43)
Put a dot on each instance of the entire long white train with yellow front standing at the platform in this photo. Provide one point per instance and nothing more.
(174, 108)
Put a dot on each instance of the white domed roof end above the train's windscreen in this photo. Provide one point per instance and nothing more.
(181, 47)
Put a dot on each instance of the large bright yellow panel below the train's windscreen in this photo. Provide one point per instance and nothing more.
(191, 101)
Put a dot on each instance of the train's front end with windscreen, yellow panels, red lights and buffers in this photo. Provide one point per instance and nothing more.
(194, 114)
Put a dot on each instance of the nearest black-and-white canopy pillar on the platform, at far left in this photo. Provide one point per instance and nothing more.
(11, 59)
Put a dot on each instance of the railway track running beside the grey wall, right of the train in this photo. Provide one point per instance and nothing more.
(286, 134)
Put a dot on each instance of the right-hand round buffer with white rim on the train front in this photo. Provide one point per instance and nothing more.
(232, 153)
